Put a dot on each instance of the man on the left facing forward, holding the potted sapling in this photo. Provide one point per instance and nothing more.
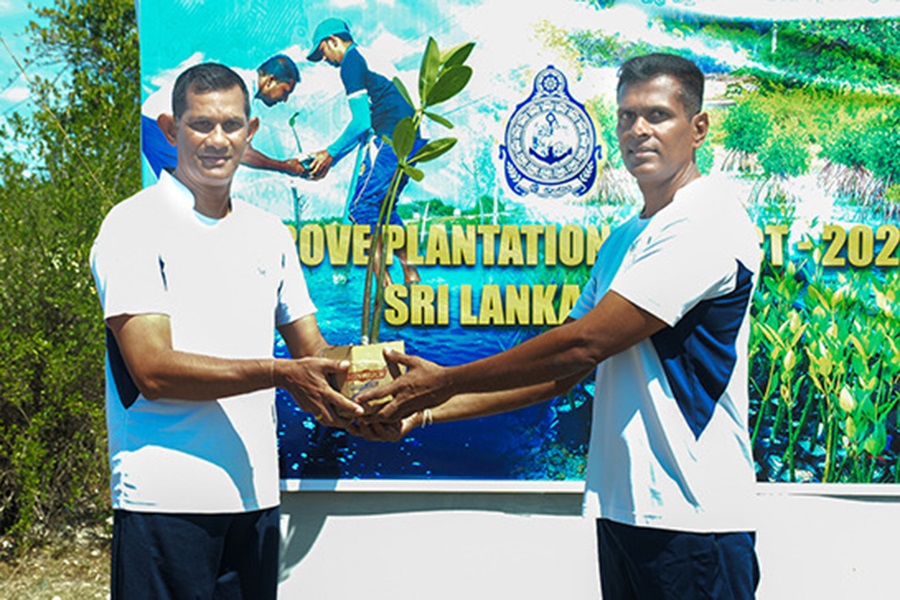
(193, 283)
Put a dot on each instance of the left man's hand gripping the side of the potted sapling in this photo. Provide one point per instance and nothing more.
(306, 379)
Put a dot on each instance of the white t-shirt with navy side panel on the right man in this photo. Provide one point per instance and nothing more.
(669, 442)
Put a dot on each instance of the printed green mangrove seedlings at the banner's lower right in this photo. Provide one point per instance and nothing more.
(826, 370)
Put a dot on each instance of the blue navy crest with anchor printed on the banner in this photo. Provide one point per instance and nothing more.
(550, 147)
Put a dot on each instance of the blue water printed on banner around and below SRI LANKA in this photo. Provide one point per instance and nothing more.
(546, 441)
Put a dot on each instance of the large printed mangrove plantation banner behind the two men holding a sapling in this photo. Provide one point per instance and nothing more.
(499, 234)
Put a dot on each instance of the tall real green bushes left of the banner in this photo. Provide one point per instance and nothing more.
(85, 144)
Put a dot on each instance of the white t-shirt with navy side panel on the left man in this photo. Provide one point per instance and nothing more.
(225, 285)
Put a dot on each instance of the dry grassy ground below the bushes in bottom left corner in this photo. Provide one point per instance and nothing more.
(72, 567)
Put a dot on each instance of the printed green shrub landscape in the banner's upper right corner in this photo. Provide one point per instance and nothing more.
(823, 85)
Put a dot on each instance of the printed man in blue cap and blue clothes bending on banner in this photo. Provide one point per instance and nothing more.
(375, 105)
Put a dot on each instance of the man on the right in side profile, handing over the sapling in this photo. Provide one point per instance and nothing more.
(664, 320)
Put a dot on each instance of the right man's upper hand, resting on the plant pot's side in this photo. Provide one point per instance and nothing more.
(424, 385)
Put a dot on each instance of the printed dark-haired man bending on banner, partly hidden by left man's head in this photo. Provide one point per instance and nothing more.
(275, 80)
